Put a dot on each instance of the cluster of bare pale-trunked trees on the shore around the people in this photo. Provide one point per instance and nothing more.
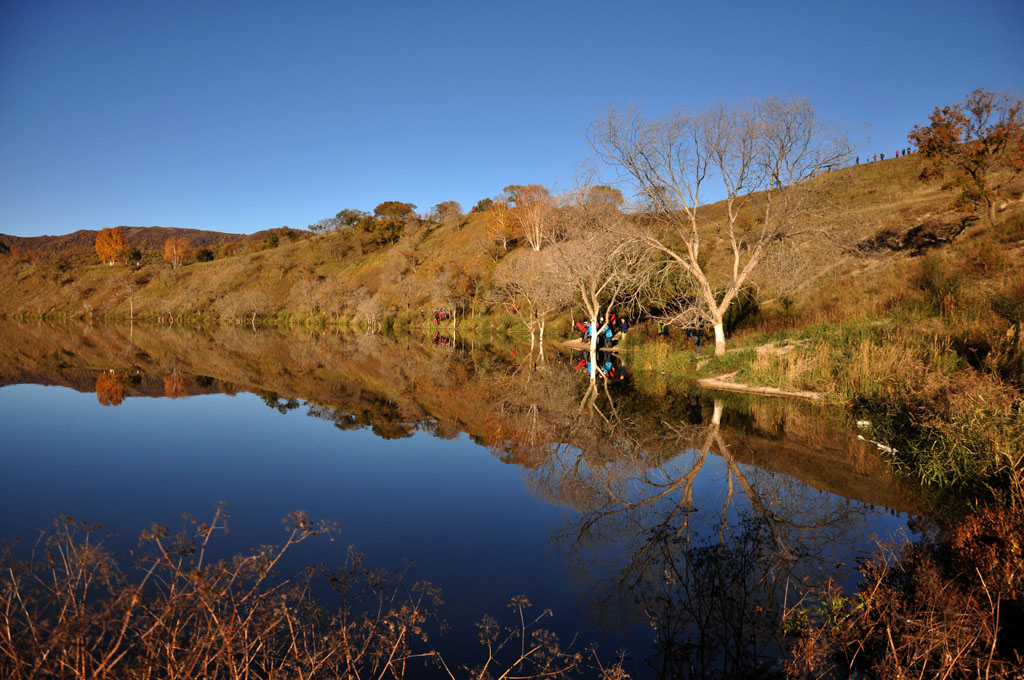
(763, 157)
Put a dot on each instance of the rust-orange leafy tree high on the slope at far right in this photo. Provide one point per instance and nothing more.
(977, 145)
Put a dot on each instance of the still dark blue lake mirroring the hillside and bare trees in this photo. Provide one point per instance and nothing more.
(631, 511)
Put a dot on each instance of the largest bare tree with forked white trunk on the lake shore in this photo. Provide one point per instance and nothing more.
(761, 157)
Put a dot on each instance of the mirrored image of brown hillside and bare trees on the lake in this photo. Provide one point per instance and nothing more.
(697, 518)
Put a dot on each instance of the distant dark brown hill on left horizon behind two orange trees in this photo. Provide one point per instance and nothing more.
(81, 244)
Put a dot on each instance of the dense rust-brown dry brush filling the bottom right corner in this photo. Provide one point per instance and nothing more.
(947, 611)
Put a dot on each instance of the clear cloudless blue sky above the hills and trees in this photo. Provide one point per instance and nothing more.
(243, 116)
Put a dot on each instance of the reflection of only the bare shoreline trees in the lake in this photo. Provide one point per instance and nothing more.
(712, 581)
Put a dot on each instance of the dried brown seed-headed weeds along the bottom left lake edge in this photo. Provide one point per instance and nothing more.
(72, 612)
